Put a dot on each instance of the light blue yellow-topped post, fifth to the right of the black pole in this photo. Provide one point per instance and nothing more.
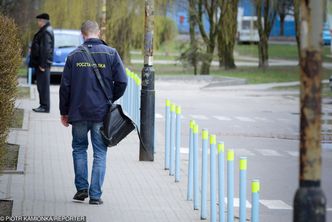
(195, 158)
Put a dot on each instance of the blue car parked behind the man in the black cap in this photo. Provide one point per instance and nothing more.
(65, 41)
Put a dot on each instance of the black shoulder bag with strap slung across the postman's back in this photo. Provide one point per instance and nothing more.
(117, 125)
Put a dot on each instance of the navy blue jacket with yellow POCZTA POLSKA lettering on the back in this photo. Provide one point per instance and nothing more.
(81, 96)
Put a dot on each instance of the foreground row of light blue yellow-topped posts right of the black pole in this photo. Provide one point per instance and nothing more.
(172, 163)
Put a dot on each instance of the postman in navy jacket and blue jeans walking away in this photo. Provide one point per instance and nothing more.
(84, 105)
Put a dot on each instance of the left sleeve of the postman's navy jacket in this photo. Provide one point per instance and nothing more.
(65, 86)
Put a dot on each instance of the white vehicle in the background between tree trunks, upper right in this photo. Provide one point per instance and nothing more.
(247, 31)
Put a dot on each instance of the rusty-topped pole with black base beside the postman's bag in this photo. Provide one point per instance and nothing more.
(148, 92)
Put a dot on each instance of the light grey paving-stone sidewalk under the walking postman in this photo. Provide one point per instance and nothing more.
(133, 190)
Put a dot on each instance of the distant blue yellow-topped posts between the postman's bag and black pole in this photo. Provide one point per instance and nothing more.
(131, 99)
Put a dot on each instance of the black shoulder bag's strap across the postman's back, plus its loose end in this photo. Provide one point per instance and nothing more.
(102, 84)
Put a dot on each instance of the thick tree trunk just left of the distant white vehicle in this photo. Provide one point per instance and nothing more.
(227, 33)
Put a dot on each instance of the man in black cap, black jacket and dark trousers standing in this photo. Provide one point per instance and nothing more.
(41, 58)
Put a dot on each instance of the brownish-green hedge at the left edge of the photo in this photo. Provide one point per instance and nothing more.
(10, 59)
